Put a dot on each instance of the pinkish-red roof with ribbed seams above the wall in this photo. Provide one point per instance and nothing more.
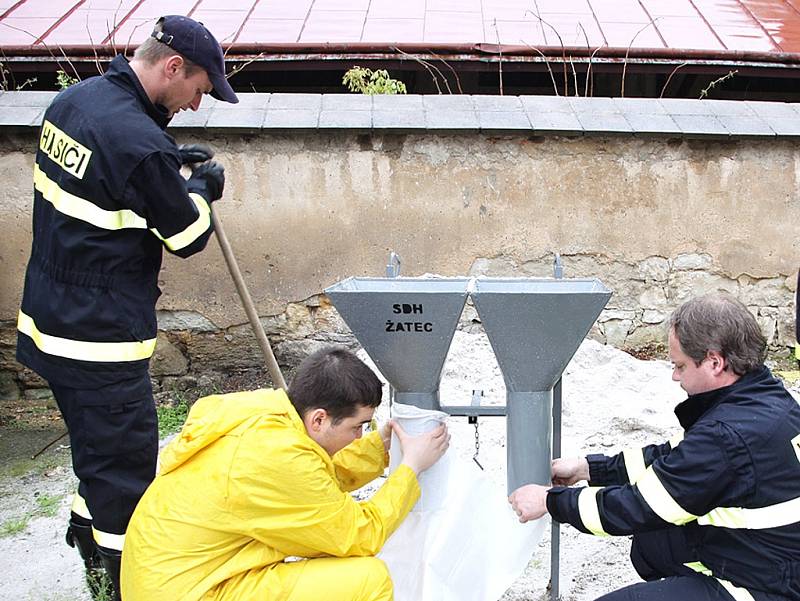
(648, 27)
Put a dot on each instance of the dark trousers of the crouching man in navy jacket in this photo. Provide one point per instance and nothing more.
(659, 558)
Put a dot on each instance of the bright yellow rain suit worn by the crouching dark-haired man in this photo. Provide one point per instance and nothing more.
(242, 488)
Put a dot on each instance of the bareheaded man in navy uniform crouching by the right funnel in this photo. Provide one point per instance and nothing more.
(715, 513)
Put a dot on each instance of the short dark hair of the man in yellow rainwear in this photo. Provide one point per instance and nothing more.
(336, 380)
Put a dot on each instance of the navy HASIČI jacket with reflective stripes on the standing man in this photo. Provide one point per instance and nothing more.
(108, 195)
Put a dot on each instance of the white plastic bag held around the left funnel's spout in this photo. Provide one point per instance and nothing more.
(462, 541)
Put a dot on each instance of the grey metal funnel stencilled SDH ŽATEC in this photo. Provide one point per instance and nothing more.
(406, 326)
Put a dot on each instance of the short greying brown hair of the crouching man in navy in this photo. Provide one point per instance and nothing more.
(719, 322)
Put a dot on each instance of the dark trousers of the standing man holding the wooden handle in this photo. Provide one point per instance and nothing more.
(113, 434)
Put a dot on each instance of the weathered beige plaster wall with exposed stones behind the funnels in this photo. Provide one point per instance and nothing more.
(657, 219)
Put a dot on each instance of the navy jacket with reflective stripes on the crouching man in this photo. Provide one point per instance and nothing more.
(741, 449)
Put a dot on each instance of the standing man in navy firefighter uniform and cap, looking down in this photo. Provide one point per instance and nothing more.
(108, 196)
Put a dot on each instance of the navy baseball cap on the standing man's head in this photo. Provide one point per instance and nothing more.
(191, 39)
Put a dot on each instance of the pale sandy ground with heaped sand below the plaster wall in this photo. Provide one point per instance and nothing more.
(611, 401)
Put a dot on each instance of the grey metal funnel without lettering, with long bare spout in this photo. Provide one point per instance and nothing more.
(534, 326)
